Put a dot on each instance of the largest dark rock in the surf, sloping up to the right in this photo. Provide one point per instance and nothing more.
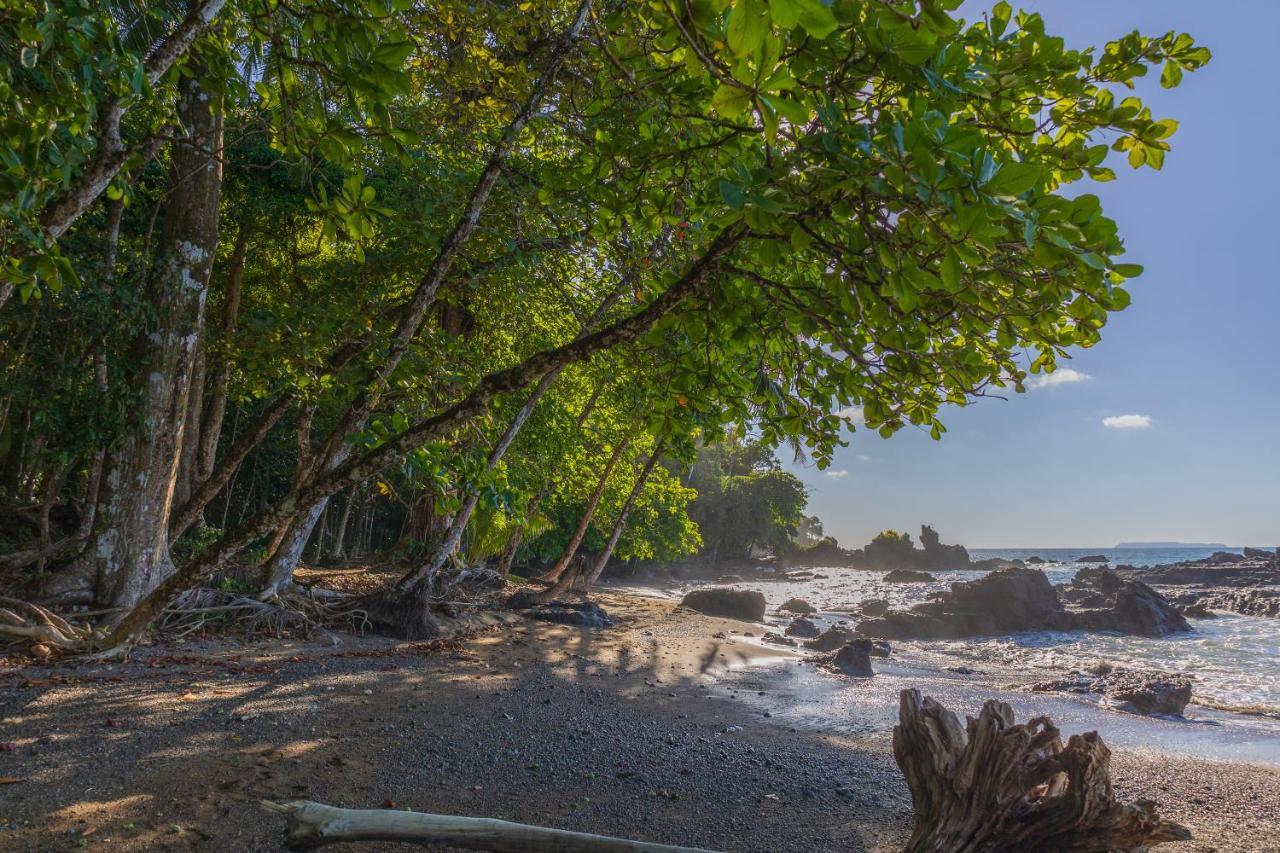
(1003, 603)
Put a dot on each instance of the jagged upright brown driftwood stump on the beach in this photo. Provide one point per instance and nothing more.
(999, 786)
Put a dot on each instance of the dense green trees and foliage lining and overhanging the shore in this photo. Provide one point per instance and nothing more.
(473, 270)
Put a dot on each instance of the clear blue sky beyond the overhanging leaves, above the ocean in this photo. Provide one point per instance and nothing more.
(1197, 353)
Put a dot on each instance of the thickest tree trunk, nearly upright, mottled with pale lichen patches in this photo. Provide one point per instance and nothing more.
(129, 555)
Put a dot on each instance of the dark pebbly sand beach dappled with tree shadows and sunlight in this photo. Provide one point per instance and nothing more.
(655, 729)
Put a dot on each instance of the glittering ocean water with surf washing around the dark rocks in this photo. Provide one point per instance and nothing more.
(1233, 660)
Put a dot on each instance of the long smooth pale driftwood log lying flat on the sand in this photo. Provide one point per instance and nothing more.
(312, 825)
